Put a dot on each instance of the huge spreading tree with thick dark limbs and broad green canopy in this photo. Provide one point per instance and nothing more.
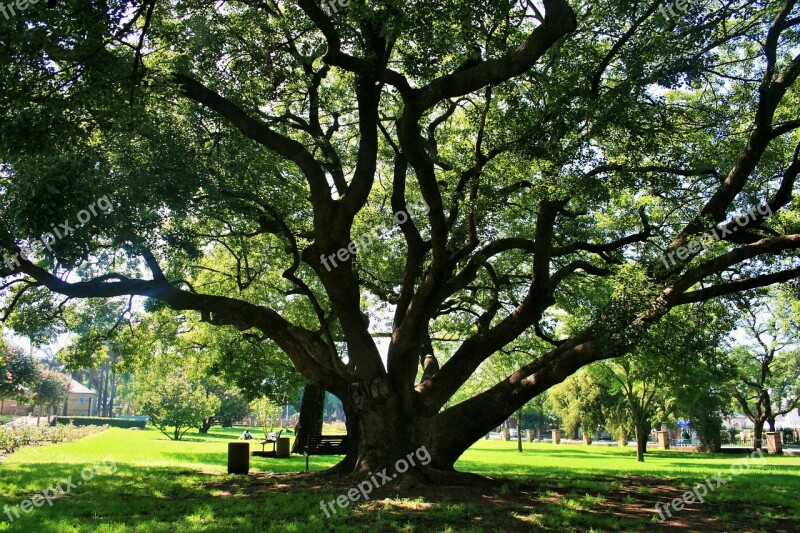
(572, 156)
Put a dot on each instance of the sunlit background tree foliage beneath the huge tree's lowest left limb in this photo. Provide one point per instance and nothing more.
(109, 341)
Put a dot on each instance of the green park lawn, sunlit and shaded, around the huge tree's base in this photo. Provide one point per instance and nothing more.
(140, 481)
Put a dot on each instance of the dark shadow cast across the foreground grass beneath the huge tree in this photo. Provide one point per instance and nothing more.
(186, 499)
